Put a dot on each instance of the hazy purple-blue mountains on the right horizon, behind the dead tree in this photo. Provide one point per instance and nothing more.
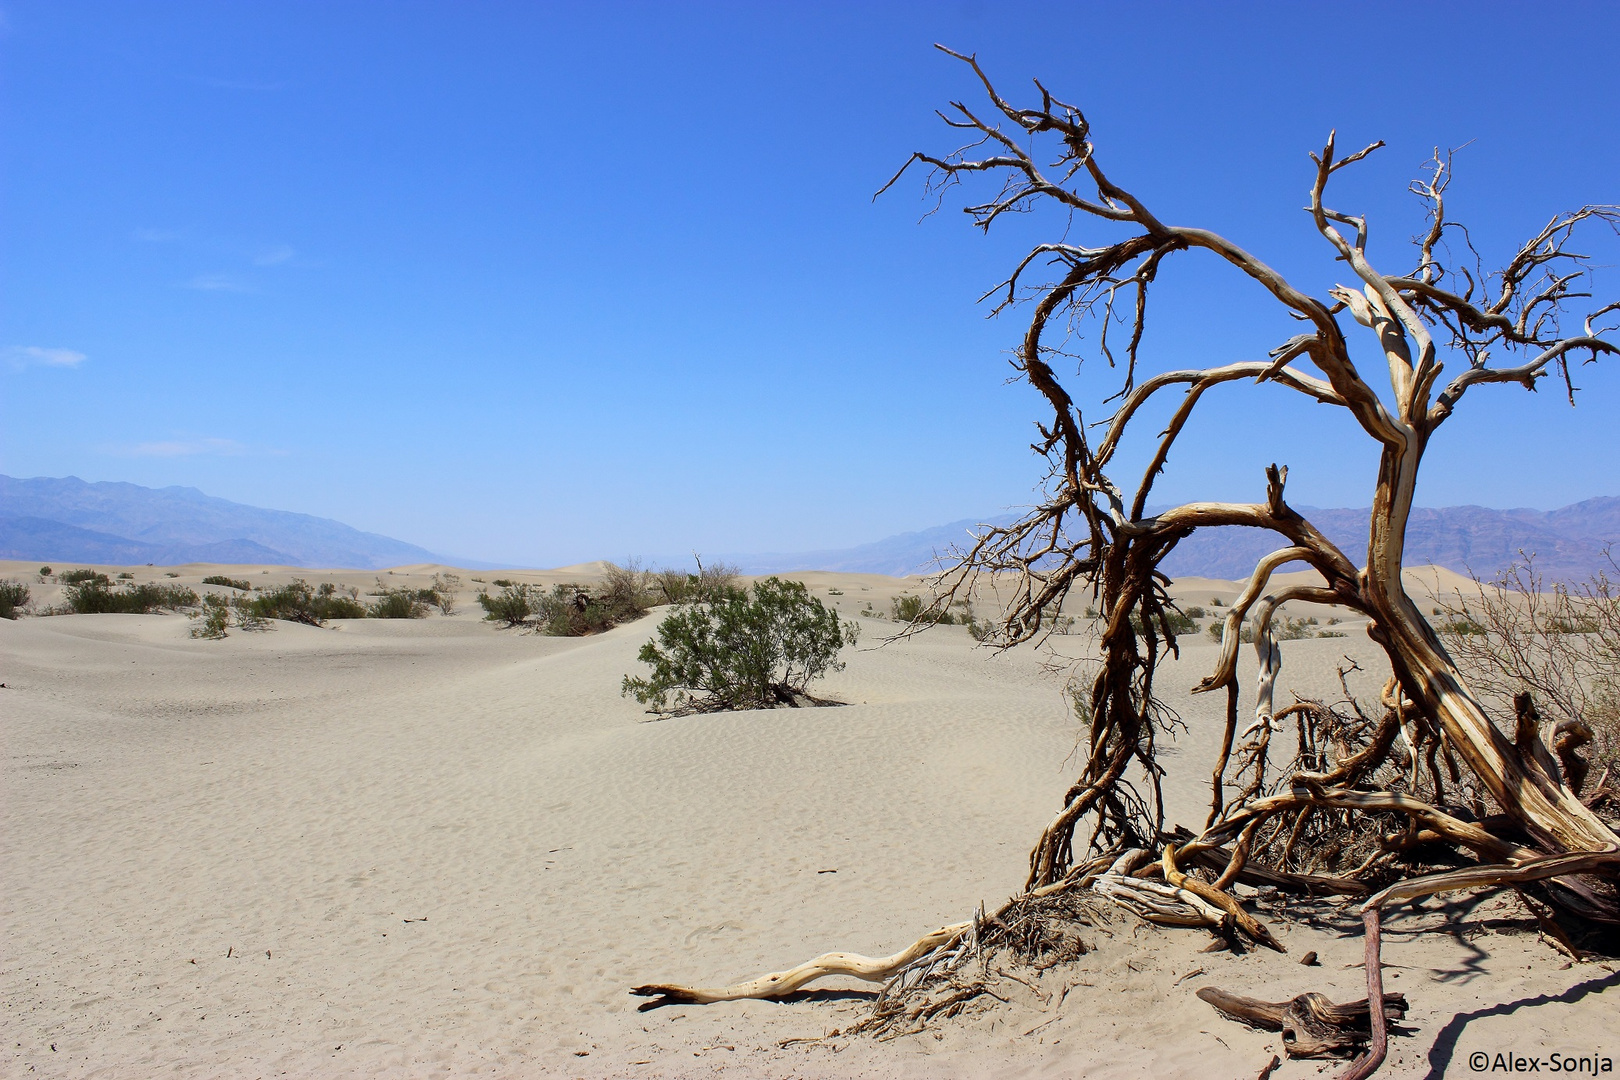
(1569, 545)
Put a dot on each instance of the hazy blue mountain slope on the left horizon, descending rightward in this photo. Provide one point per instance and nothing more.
(69, 521)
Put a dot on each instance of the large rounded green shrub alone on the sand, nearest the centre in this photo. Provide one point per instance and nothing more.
(743, 650)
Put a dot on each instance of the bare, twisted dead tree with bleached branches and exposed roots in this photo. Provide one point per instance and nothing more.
(1093, 534)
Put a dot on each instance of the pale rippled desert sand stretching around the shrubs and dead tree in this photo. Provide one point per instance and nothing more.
(399, 849)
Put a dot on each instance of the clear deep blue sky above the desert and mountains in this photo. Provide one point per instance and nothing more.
(553, 283)
